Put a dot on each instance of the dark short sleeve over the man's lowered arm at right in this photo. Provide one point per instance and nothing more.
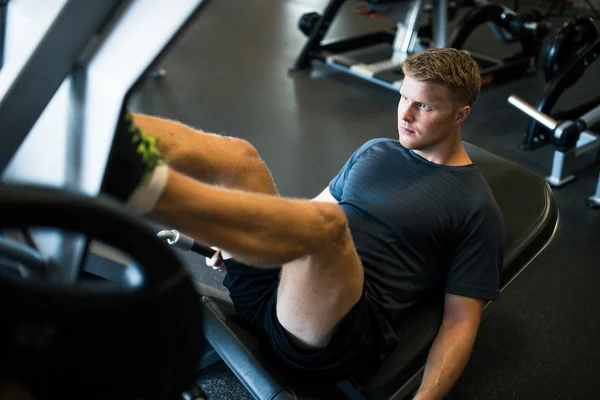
(479, 255)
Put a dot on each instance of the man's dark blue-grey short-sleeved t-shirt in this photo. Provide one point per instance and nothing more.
(419, 227)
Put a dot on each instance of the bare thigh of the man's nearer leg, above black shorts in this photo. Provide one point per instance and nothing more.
(317, 291)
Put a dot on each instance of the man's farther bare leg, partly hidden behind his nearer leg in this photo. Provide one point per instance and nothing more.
(211, 158)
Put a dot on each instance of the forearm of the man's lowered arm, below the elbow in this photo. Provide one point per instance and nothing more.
(446, 361)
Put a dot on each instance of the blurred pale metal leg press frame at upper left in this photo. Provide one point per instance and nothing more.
(90, 56)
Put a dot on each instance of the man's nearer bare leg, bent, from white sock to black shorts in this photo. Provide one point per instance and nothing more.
(322, 277)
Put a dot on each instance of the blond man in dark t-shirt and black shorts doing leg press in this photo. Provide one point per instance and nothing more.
(331, 282)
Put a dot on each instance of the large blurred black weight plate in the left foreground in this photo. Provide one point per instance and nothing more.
(97, 339)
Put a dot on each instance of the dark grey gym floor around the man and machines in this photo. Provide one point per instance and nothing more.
(229, 74)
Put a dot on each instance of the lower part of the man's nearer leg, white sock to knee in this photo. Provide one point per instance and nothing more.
(255, 228)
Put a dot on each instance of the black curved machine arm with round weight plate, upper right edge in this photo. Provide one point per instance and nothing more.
(565, 66)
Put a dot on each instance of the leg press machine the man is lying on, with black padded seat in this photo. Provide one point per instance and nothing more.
(53, 158)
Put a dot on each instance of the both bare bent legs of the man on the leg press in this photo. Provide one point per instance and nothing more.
(321, 278)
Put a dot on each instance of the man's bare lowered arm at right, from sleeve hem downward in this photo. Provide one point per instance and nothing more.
(452, 347)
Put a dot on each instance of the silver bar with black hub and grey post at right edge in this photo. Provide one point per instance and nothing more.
(573, 142)
